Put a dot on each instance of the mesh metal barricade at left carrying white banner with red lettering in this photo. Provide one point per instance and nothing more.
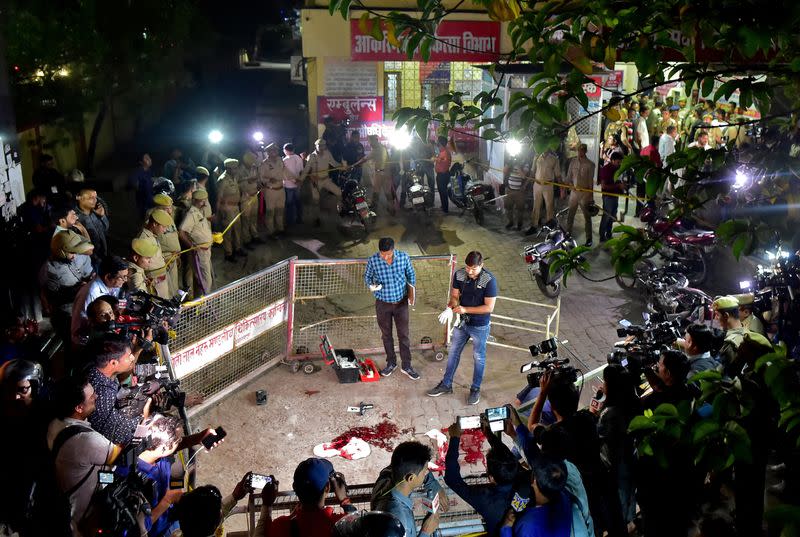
(232, 334)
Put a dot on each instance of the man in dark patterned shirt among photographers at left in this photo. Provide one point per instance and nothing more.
(112, 355)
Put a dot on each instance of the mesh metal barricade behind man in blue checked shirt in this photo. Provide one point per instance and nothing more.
(329, 297)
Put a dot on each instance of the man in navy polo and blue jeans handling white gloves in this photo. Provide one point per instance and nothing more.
(472, 296)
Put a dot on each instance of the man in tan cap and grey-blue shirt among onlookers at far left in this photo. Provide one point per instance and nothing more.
(69, 267)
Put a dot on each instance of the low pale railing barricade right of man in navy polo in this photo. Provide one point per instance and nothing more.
(516, 322)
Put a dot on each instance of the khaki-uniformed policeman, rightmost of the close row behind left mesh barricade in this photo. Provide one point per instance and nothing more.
(195, 233)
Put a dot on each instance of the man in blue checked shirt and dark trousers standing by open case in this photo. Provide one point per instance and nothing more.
(391, 278)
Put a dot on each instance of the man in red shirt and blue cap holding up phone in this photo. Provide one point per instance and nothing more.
(313, 480)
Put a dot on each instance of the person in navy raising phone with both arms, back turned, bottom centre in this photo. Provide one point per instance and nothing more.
(490, 500)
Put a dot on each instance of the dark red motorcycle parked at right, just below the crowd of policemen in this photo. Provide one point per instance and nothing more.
(683, 244)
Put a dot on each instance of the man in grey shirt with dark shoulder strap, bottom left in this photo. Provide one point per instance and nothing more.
(77, 450)
